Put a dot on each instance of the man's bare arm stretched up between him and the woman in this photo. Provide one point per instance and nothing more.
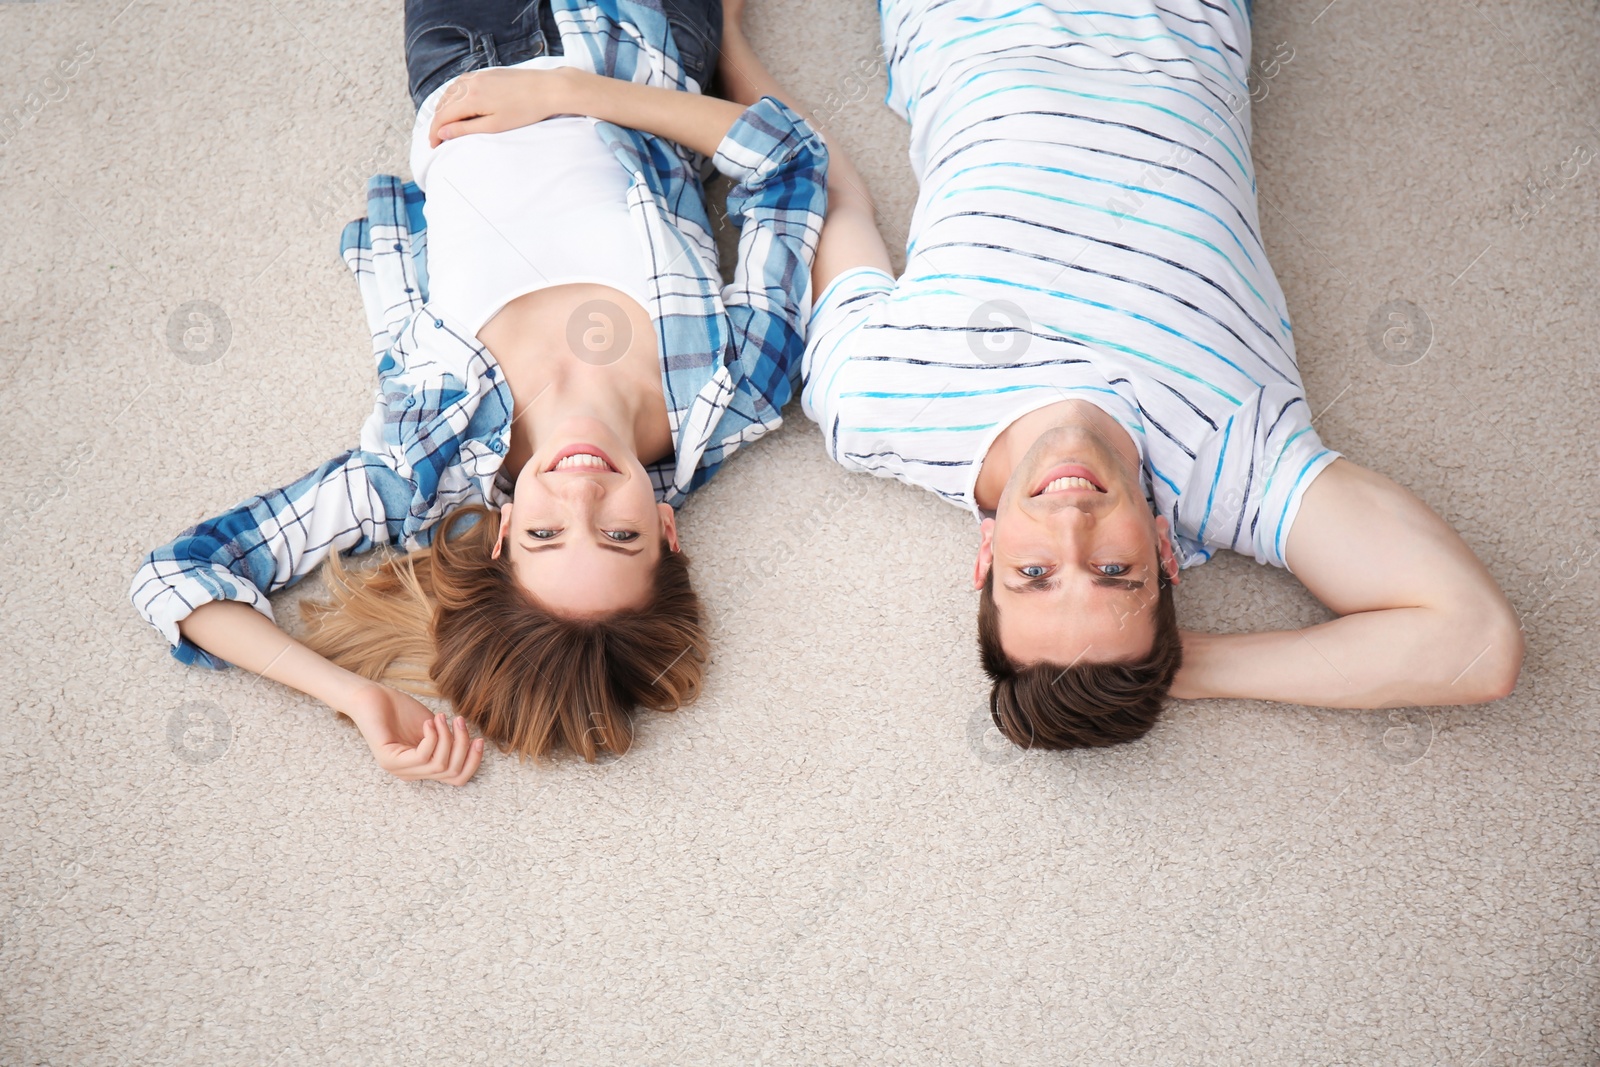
(850, 234)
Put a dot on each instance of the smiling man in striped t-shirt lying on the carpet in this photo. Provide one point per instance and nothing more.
(1090, 353)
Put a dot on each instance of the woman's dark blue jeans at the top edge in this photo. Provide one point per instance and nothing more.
(450, 38)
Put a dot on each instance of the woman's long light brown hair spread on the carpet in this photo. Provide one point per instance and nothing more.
(452, 621)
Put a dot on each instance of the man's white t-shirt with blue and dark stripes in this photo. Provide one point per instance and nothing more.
(1086, 231)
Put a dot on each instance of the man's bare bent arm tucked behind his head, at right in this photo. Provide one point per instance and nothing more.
(1422, 620)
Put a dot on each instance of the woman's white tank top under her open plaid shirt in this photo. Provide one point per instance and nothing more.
(522, 210)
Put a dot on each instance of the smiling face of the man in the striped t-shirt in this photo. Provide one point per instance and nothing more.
(1076, 554)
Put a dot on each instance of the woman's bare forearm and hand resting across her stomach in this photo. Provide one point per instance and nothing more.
(506, 98)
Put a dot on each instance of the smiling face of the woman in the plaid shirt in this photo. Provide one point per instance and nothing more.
(585, 529)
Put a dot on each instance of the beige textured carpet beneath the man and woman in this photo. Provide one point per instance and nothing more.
(826, 861)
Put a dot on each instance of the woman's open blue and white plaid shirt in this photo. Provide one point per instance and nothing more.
(441, 426)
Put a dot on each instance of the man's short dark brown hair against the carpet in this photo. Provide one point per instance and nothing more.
(1052, 706)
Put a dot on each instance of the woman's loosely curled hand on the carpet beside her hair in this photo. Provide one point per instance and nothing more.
(412, 743)
